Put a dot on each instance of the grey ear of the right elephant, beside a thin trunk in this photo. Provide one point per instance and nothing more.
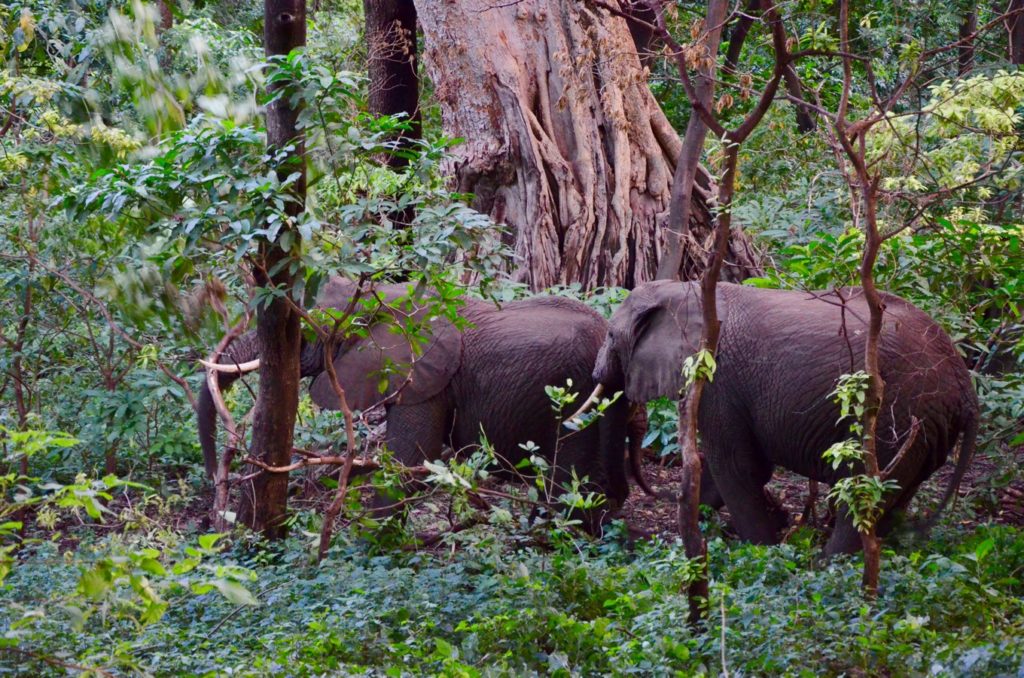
(666, 334)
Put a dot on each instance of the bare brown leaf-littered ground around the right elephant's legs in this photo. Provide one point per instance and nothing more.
(989, 494)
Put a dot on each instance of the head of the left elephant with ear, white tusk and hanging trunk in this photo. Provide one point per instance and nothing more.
(401, 354)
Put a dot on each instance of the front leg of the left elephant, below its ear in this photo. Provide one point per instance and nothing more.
(415, 434)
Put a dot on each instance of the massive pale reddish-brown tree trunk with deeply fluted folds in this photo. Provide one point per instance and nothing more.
(565, 143)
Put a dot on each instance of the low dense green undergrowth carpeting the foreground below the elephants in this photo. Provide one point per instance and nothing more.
(952, 607)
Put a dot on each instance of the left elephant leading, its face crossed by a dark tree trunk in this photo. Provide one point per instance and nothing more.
(489, 376)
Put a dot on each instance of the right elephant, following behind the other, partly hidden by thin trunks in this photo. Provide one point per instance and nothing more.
(780, 356)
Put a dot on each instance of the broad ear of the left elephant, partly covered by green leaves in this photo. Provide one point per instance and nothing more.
(386, 355)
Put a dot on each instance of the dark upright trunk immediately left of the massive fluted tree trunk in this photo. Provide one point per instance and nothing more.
(395, 87)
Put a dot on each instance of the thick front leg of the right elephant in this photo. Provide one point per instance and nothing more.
(741, 475)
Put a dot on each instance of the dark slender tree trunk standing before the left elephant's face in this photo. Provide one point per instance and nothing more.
(265, 502)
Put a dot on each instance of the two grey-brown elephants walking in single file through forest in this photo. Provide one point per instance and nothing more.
(780, 357)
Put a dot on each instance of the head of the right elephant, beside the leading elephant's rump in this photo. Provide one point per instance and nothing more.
(650, 336)
